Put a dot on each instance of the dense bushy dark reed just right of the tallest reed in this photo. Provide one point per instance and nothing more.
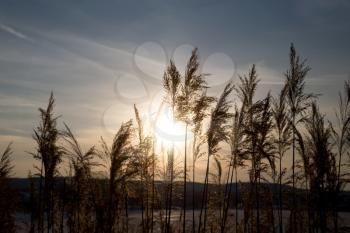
(322, 170)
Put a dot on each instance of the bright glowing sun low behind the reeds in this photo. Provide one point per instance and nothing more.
(167, 129)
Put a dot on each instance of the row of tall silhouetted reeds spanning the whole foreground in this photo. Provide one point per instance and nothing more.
(260, 135)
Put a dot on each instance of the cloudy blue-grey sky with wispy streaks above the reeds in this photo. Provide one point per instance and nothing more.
(101, 57)
